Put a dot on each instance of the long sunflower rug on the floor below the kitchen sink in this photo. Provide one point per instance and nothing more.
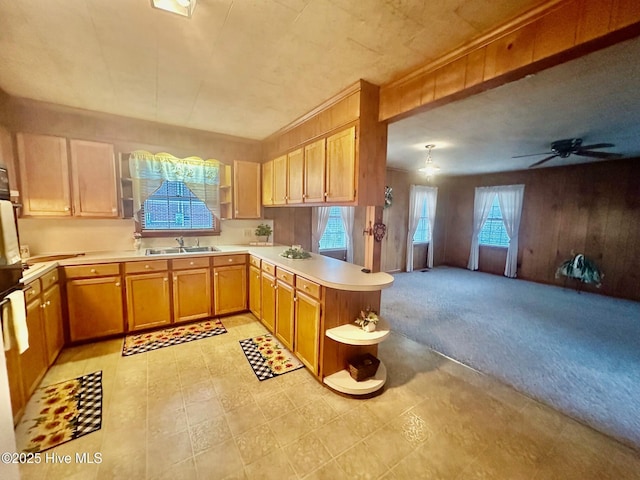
(144, 342)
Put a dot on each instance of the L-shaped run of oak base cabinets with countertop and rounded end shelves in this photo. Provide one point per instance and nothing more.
(114, 293)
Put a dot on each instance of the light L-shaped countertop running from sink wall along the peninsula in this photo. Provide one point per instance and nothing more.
(326, 271)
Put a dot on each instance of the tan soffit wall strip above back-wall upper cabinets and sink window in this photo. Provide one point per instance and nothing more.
(126, 134)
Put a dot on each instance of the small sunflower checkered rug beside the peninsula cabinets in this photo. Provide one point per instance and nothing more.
(268, 357)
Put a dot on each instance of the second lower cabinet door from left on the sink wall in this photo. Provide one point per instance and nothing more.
(148, 302)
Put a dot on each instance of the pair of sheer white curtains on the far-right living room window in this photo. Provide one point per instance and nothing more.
(510, 198)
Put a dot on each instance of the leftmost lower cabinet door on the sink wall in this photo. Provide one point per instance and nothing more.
(95, 307)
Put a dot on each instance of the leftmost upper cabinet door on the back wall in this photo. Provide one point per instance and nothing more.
(44, 175)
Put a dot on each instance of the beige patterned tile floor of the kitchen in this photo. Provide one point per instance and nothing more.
(197, 411)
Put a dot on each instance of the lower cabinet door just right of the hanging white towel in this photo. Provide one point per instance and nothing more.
(33, 361)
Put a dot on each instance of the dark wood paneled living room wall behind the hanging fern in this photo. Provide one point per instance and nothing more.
(592, 209)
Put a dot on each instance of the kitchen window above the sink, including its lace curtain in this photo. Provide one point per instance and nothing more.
(175, 195)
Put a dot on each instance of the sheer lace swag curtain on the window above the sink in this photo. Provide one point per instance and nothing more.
(149, 170)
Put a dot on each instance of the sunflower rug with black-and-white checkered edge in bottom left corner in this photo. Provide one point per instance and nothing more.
(61, 412)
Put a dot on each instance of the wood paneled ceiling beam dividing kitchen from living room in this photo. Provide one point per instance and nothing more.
(551, 34)
